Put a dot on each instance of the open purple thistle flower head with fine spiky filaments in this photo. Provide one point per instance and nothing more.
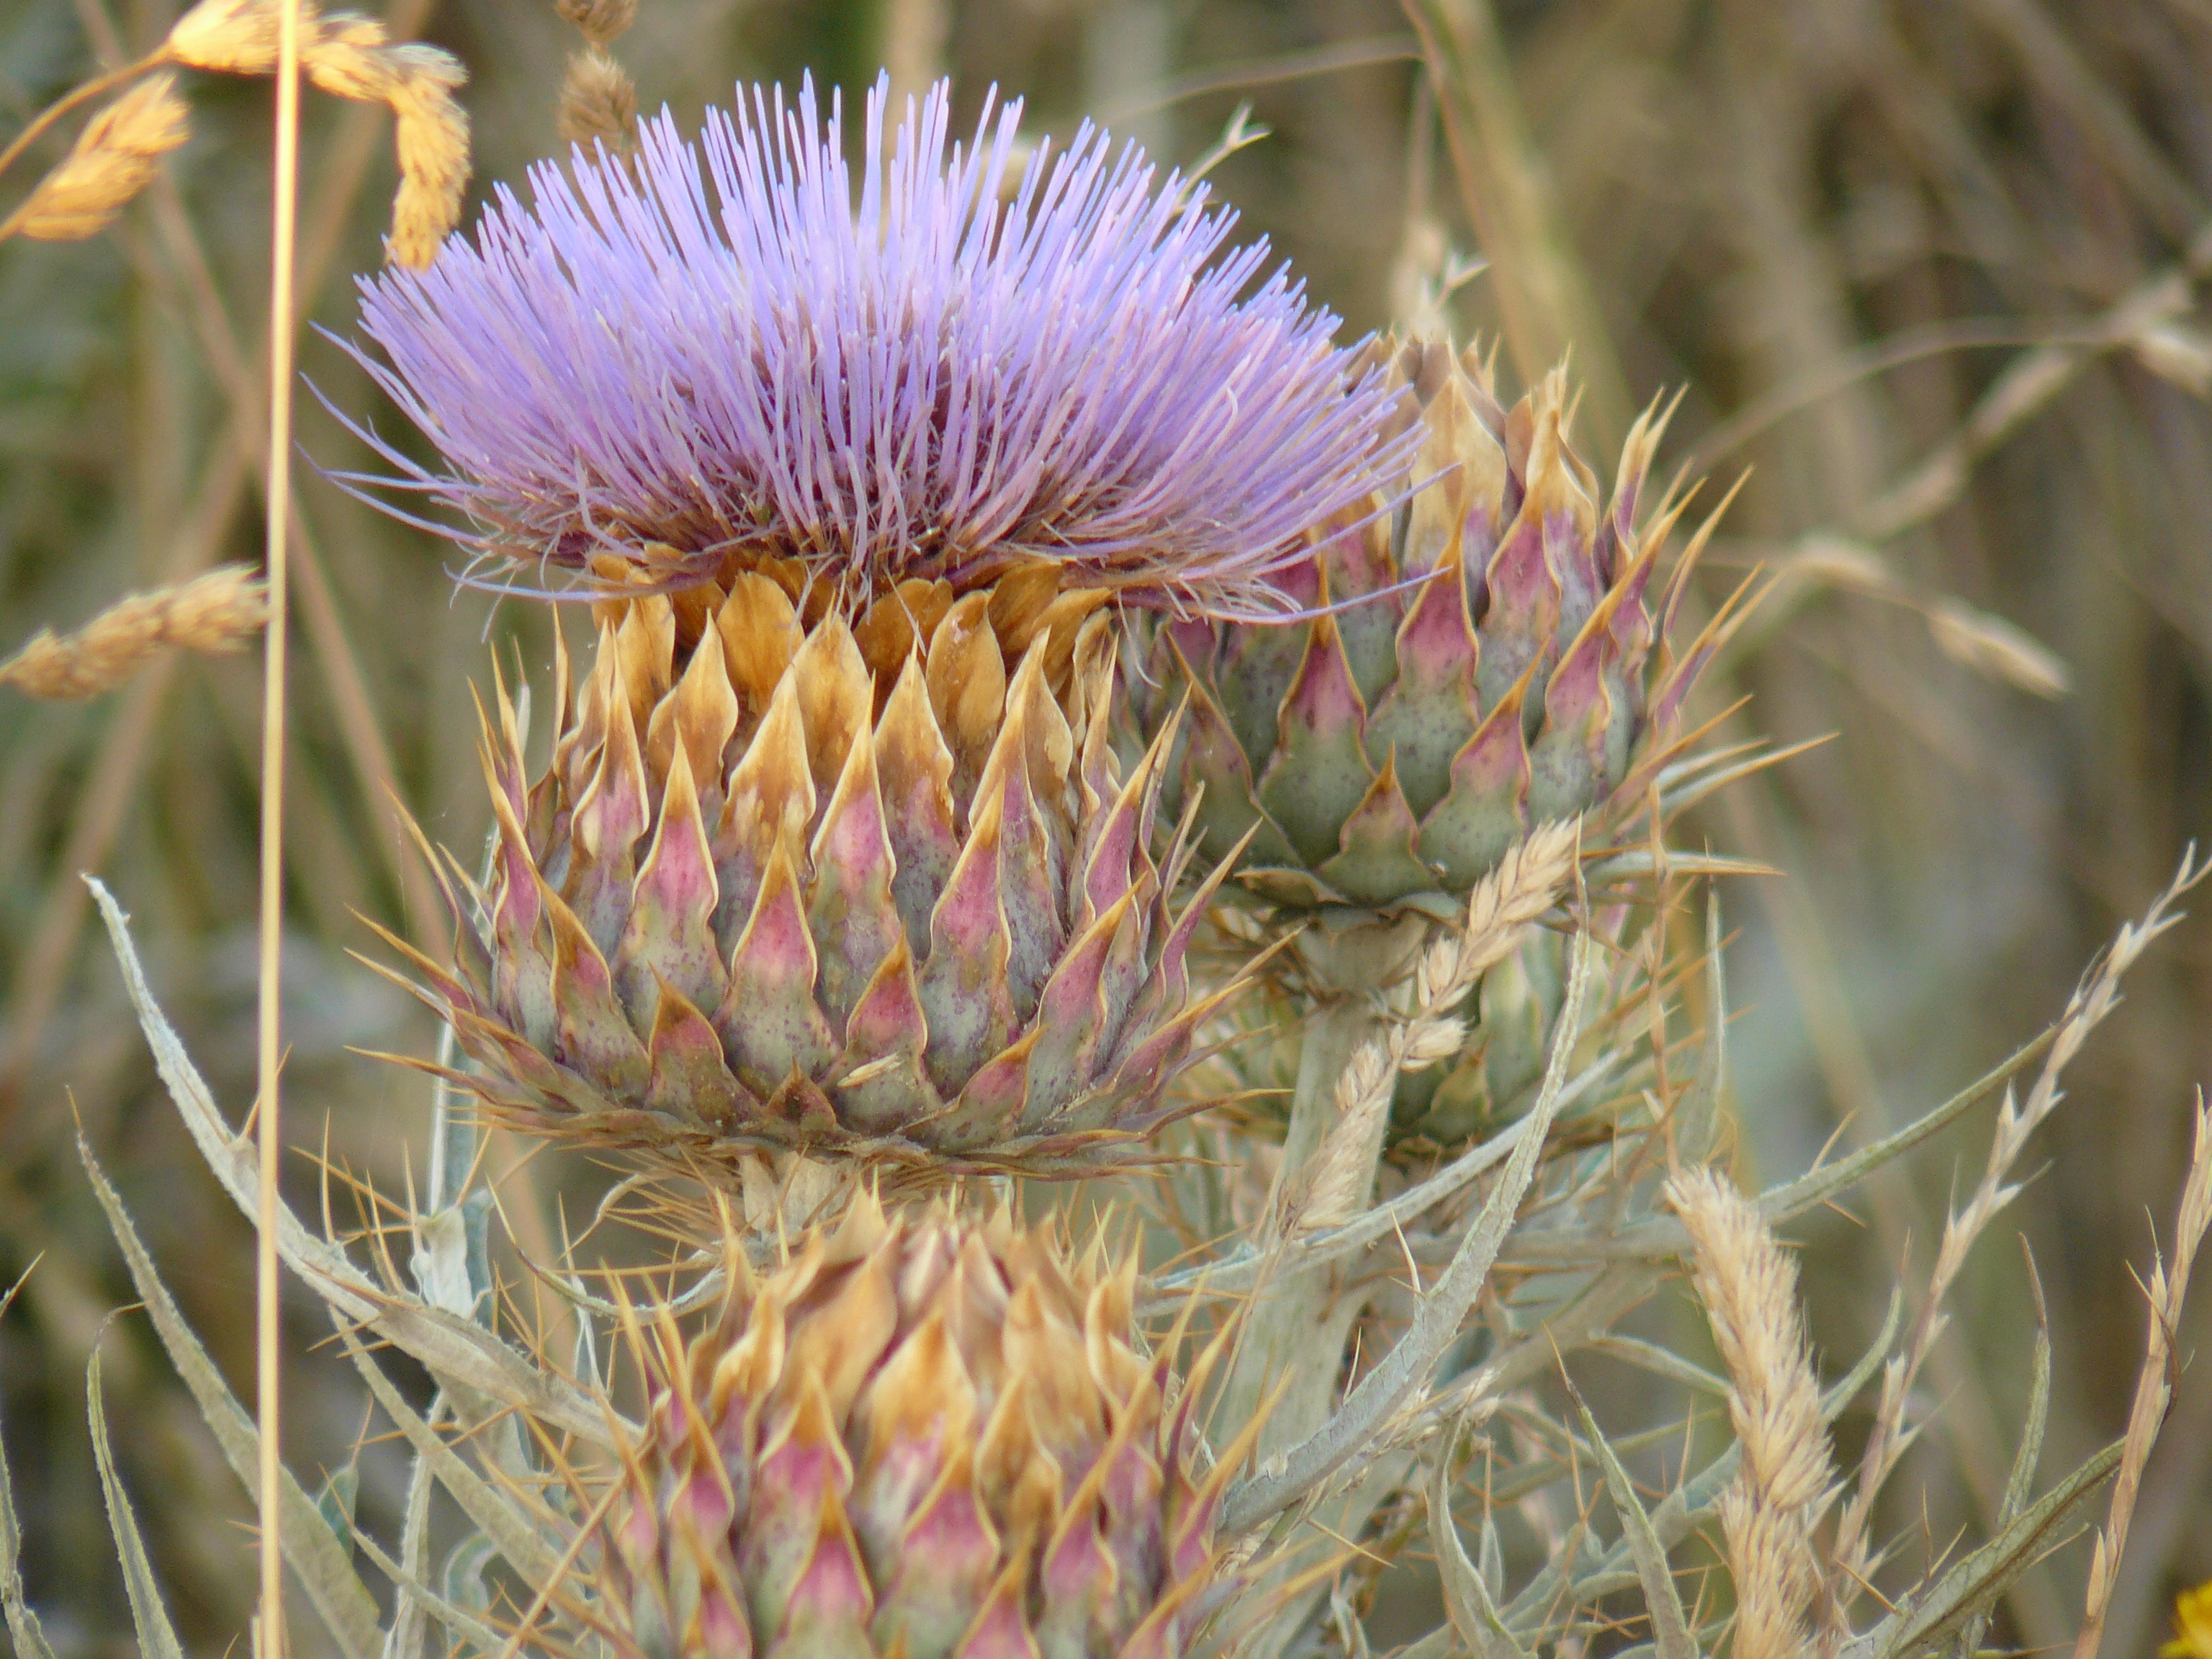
(932, 377)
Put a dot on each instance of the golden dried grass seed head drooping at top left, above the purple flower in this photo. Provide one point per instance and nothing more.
(351, 56)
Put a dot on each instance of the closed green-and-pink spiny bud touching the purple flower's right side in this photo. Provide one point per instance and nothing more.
(1481, 656)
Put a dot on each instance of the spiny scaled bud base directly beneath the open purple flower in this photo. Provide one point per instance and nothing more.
(866, 888)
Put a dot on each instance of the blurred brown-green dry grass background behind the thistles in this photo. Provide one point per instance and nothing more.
(1928, 269)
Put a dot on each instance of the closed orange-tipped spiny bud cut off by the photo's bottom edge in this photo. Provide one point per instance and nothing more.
(921, 1437)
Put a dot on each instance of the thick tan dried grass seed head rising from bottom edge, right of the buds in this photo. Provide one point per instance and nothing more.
(1749, 1288)
